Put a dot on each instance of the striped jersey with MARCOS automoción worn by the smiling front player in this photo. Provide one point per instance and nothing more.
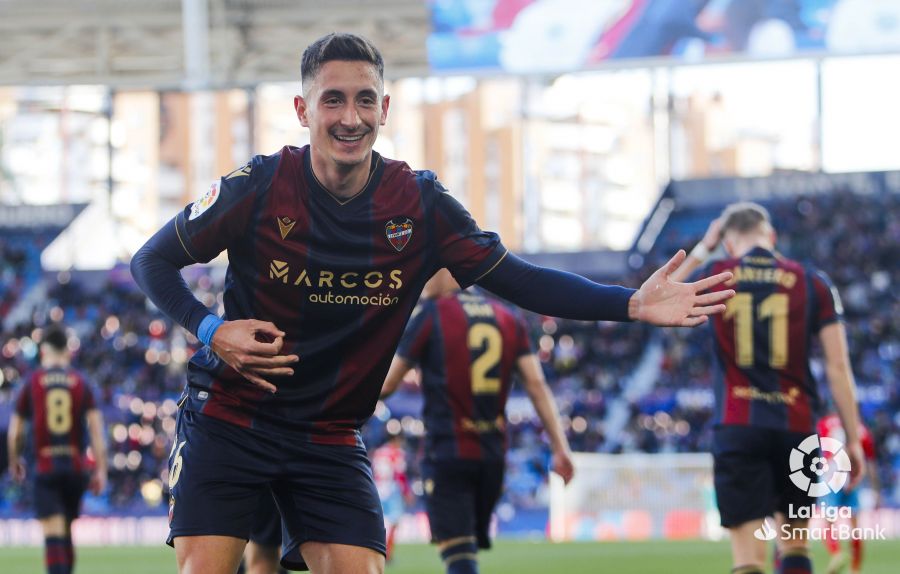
(340, 277)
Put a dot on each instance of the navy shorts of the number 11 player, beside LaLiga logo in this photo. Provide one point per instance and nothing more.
(751, 470)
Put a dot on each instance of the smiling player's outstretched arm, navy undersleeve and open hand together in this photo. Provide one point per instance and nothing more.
(659, 301)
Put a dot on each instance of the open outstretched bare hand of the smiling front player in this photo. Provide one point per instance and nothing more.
(662, 301)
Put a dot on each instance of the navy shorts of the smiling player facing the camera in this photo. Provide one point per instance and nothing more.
(218, 472)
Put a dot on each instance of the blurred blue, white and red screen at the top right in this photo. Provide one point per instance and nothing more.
(540, 36)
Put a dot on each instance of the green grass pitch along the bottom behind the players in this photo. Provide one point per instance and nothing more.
(507, 557)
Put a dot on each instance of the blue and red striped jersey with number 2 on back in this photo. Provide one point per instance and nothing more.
(467, 346)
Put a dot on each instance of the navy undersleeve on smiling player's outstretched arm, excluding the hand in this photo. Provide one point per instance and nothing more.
(556, 293)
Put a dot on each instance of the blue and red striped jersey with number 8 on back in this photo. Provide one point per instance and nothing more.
(56, 401)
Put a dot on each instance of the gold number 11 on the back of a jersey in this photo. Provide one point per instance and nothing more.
(775, 308)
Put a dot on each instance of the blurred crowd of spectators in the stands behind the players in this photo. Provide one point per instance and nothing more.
(136, 358)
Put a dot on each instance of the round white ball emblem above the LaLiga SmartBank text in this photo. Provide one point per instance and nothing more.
(819, 475)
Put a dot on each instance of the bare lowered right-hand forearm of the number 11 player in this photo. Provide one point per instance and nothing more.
(843, 391)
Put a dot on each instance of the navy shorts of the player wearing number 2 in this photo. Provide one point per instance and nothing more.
(460, 496)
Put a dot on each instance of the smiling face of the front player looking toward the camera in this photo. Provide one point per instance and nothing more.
(343, 109)
